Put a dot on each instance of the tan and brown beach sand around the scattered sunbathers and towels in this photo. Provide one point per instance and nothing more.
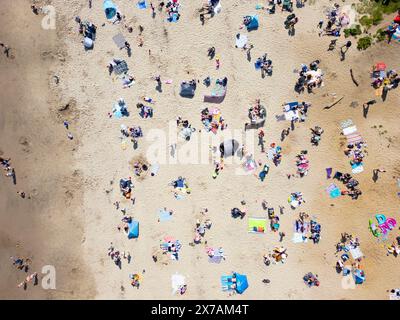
(70, 178)
